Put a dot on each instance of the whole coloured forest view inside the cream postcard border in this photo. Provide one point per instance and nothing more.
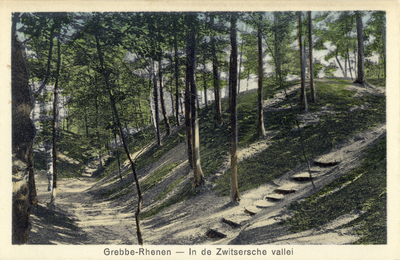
(189, 128)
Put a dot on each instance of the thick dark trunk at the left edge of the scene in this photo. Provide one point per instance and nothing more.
(24, 189)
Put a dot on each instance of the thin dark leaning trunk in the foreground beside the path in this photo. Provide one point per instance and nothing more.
(112, 103)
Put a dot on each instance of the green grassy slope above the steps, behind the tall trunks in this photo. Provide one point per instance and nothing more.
(285, 153)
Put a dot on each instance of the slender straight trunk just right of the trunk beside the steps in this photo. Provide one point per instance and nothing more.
(260, 119)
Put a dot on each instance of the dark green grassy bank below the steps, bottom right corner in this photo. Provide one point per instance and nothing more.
(368, 192)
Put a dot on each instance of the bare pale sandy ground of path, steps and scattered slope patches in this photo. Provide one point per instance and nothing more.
(85, 214)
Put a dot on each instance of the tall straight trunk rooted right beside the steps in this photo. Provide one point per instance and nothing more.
(234, 194)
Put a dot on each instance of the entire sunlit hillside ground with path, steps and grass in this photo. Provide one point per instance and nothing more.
(344, 138)
